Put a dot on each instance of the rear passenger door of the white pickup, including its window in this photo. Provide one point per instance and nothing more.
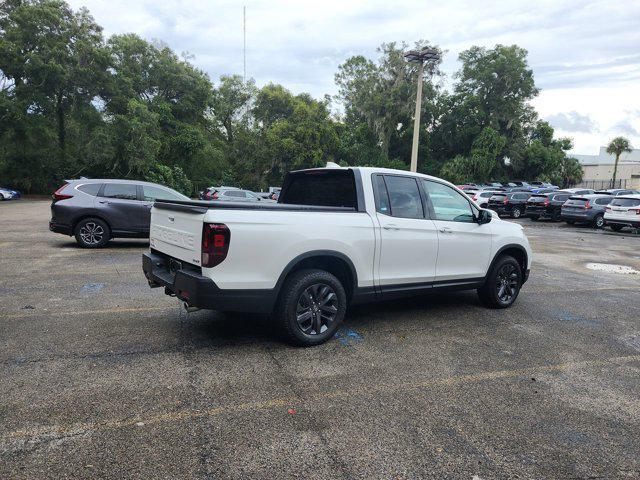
(408, 238)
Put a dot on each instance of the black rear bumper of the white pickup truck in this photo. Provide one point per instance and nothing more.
(202, 292)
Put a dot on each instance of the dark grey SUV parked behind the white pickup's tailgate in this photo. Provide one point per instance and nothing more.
(95, 211)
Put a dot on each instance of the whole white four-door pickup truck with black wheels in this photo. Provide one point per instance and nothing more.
(336, 237)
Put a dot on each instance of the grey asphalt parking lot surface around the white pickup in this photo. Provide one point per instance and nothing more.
(101, 377)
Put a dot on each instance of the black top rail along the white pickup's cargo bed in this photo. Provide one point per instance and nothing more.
(201, 206)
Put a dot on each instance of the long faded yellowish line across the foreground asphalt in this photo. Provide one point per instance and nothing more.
(48, 433)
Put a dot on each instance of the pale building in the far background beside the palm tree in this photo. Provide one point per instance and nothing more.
(598, 169)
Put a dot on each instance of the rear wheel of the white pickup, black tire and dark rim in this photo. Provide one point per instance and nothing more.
(319, 298)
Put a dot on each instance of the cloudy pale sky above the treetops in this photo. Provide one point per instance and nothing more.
(585, 55)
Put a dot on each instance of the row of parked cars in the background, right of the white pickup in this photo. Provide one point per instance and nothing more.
(615, 208)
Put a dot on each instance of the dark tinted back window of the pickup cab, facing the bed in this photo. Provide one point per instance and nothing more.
(327, 188)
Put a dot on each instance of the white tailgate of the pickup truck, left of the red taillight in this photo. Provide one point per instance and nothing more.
(177, 232)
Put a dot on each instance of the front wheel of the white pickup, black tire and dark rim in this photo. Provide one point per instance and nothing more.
(505, 273)
